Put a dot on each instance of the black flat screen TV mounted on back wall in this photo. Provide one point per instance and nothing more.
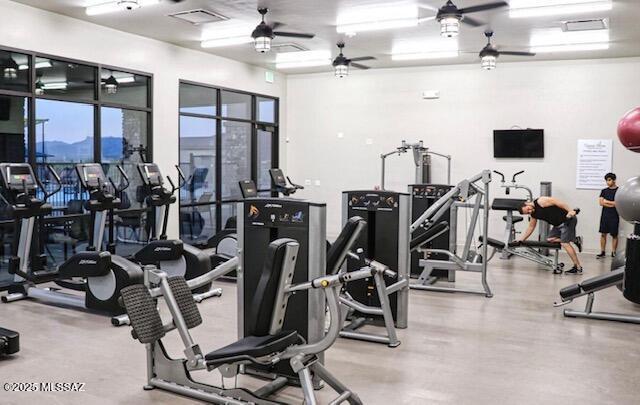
(518, 143)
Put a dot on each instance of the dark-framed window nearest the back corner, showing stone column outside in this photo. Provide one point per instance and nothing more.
(223, 140)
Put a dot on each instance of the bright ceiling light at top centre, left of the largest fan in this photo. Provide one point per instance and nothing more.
(374, 18)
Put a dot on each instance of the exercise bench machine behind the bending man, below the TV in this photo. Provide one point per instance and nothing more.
(535, 251)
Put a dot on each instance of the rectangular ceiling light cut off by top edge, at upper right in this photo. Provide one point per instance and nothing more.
(539, 8)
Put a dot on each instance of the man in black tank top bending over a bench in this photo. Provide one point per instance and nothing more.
(564, 221)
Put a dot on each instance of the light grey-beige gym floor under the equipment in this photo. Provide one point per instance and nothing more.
(459, 349)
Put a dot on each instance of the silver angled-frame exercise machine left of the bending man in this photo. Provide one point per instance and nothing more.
(472, 193)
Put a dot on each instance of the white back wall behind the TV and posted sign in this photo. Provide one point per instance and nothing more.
(571, 100)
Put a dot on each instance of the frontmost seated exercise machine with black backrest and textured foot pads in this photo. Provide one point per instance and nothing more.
(266, 344)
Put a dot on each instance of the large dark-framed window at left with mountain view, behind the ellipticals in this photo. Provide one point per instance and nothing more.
(59, 112)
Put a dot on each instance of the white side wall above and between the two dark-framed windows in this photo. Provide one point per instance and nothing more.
(41, 31)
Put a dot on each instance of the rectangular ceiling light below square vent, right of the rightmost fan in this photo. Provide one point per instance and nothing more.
(556, 40)
